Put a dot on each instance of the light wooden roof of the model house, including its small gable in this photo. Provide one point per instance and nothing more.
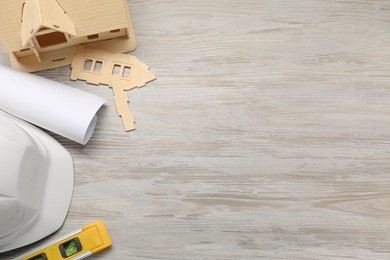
(87, 17)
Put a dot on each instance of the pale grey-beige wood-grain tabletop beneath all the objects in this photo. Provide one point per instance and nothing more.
(265, 136)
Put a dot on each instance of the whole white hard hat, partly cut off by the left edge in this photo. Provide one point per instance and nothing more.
(36, 183)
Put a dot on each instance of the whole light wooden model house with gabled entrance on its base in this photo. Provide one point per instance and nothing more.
(44, 34)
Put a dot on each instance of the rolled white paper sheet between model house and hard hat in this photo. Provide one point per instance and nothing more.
(59, 108)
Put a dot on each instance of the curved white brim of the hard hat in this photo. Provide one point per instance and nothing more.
(58, 189)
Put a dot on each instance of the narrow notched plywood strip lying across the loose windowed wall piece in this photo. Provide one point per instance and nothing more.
(122, 103)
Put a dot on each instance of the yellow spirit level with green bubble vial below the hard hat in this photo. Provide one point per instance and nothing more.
(77, 245)
